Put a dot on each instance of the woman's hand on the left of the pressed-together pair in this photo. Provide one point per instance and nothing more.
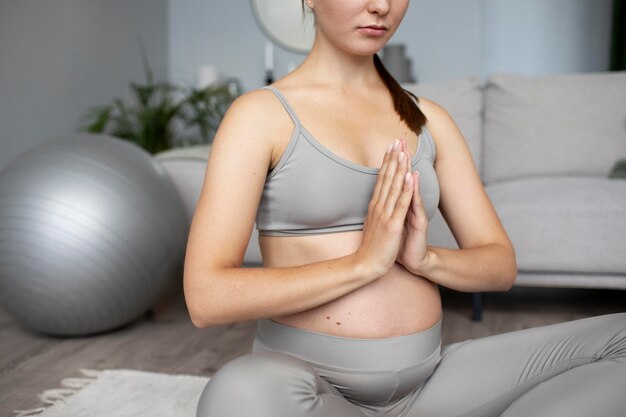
(387, 211)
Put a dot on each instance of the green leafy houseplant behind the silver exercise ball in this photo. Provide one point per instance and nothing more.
(163, 115)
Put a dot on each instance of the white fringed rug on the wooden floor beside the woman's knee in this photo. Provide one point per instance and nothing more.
(121, 393)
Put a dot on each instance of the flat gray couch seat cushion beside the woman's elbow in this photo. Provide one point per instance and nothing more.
(565, 224)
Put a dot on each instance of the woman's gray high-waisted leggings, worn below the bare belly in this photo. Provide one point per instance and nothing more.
(570, 369)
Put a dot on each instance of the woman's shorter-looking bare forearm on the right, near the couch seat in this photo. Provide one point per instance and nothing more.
(491, 267)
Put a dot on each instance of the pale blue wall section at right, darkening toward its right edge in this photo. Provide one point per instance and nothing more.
(546, 36)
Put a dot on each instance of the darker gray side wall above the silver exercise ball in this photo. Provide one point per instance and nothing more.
(57, 58)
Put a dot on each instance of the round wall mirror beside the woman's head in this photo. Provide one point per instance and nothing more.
(283, 23)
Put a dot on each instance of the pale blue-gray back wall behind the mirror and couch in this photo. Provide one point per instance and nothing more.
(446, 39)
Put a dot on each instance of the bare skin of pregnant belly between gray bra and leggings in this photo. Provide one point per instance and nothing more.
(396, 304)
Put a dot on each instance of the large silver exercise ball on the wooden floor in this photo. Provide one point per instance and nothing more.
(92, 231)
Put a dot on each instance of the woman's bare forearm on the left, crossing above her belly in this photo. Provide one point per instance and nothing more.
(234, 294)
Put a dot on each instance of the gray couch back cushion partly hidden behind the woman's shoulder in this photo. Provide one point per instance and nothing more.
(463, 100)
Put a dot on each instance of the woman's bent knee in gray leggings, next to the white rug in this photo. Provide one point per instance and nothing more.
(258, 384)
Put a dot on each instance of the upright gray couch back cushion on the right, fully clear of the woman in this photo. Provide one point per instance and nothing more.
(566, 124)
